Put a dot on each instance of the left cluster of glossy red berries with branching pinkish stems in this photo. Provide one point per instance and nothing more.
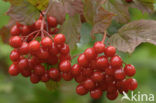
(42, 60)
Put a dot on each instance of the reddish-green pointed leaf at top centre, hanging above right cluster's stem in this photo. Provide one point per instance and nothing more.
(97, 16)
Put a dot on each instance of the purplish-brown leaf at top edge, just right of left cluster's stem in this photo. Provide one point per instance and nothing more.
(60, 8)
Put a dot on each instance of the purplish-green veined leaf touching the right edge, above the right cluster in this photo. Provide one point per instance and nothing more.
(133, 34)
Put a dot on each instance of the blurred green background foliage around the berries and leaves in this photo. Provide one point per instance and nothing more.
(20, 90)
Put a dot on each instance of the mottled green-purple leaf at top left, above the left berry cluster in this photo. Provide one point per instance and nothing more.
(25, 13)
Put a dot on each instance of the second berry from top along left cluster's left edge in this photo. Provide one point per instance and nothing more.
(15, 41)
